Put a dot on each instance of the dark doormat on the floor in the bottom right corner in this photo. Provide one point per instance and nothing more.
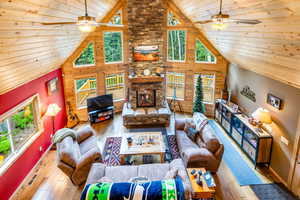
(272, 191)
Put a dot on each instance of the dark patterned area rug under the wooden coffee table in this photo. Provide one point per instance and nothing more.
(112, 147)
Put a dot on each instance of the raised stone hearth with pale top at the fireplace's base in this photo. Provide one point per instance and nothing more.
(146, 116)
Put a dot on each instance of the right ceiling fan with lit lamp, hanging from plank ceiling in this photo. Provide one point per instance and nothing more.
(220, 20)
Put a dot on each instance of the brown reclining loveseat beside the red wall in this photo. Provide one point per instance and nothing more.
(76, 156)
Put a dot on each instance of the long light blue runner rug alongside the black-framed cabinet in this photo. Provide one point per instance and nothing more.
(244, 174)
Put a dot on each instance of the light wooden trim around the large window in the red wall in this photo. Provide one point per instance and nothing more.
(35, 99)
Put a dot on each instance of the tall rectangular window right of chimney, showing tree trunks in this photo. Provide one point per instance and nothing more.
(176, 45)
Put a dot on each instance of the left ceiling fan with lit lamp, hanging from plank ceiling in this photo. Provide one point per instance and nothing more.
(85, 23)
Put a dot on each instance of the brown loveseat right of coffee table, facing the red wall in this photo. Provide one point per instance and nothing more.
(205, 150)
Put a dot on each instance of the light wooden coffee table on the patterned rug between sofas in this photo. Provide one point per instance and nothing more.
(141, 145)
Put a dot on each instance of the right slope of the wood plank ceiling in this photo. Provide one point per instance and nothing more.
(271, 48)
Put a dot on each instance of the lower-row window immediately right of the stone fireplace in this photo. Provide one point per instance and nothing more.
(175, 85)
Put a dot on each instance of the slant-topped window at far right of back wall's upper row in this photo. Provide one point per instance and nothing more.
(203, 55)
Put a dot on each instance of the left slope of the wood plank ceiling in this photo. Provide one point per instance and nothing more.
(29, 49)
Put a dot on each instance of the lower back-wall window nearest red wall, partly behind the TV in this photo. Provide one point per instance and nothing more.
(85, 88)
